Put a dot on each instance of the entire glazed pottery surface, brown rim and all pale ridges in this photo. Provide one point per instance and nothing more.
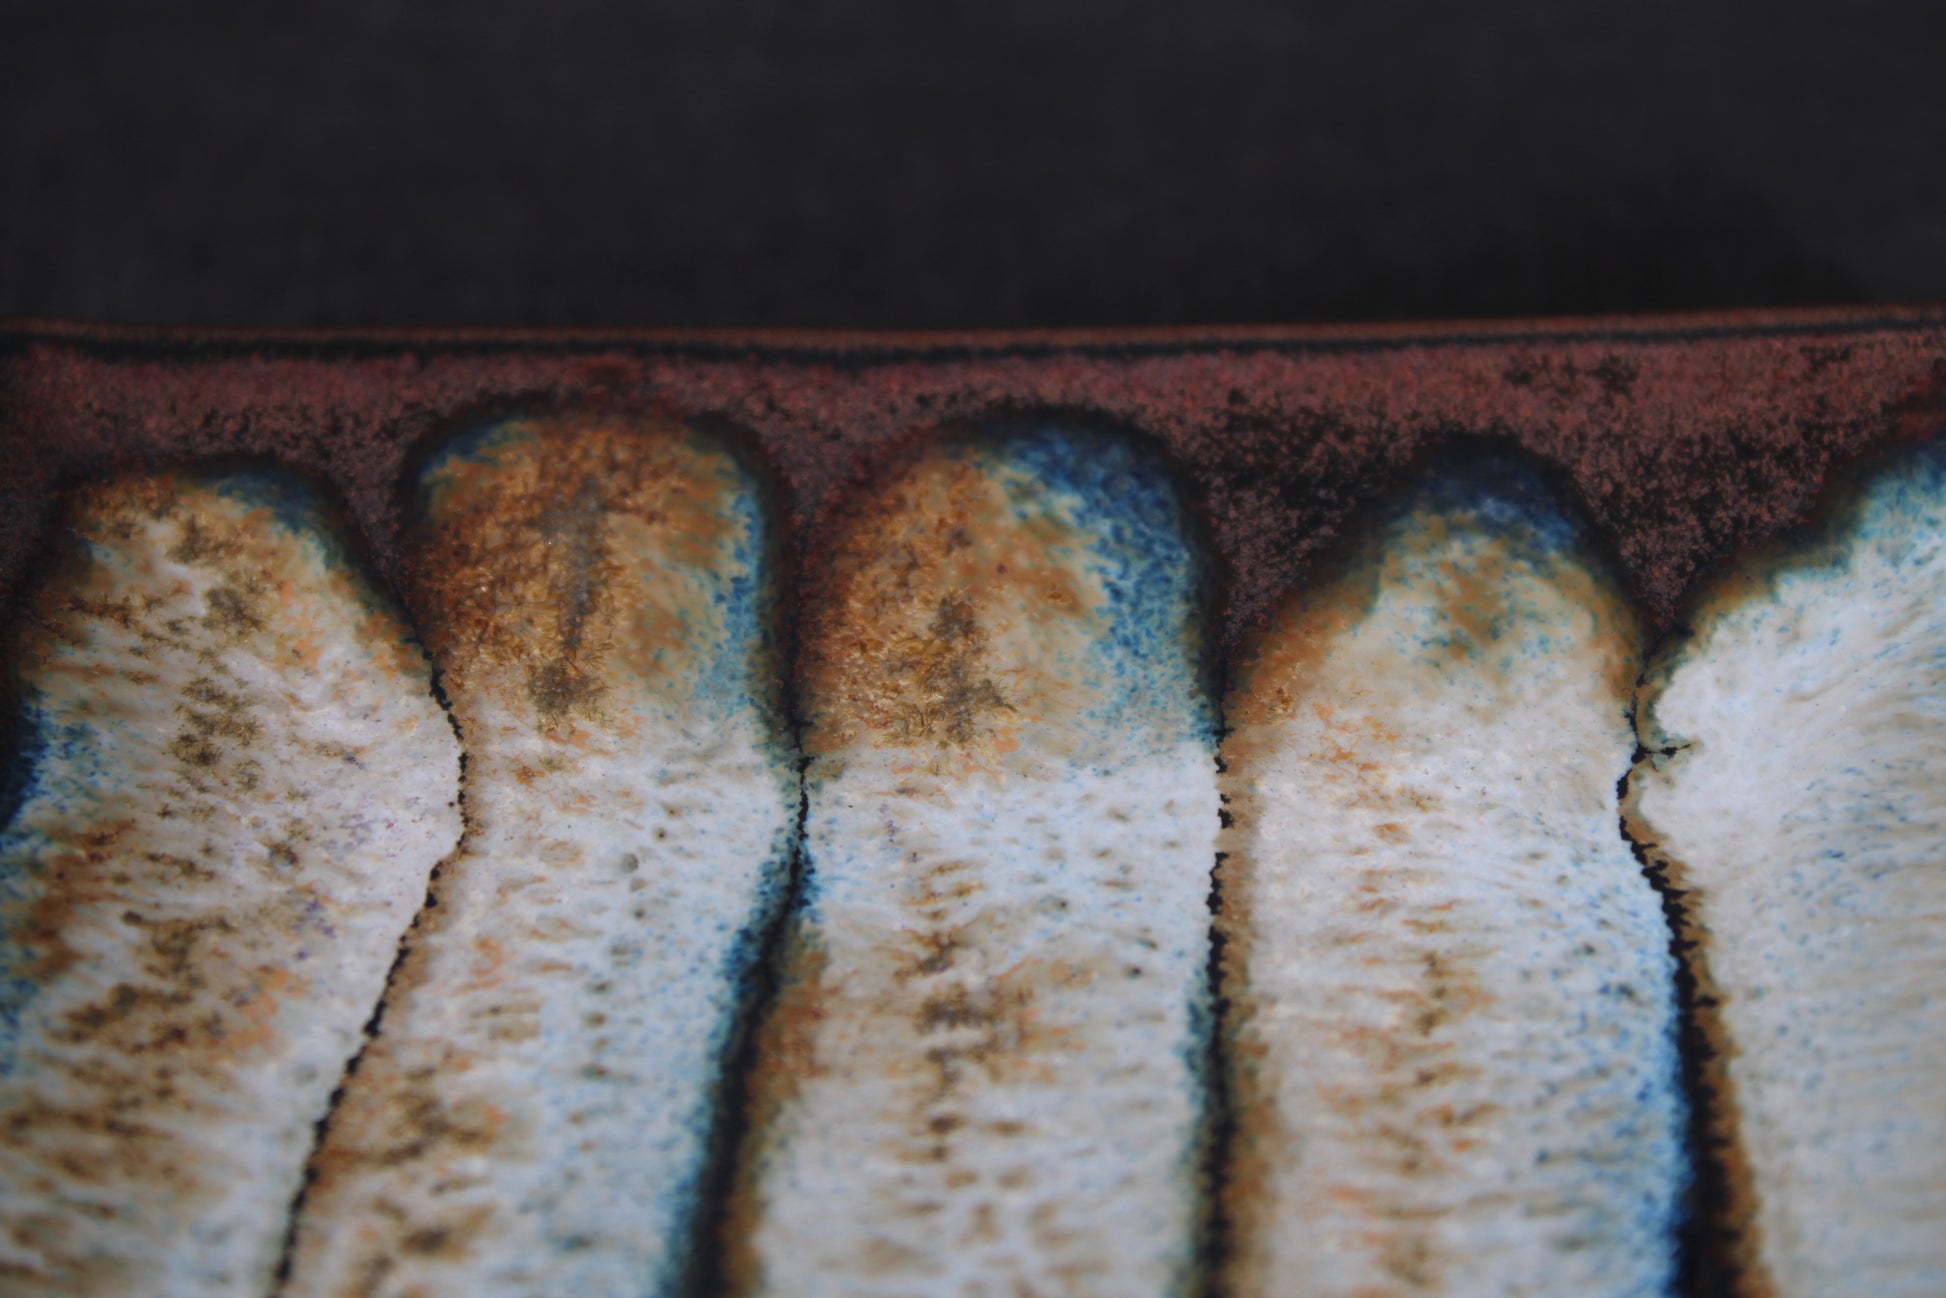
(1258, 812)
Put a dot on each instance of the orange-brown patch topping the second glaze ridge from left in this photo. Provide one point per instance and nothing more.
(567, 554)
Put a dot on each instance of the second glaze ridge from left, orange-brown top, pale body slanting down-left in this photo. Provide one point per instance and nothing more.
(536, 1108)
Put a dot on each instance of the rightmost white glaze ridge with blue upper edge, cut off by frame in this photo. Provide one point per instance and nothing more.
(1797, 791)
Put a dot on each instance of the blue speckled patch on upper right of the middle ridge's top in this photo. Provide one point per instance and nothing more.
(1128, 513)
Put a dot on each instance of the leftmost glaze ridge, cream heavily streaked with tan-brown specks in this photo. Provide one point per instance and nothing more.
(240, 791)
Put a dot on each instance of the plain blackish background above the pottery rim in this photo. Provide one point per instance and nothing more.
(939, 164)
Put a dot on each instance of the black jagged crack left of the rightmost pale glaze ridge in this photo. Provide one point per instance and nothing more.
(1704, 1266)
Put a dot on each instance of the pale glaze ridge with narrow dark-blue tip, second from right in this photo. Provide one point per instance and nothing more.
(1453, 1032)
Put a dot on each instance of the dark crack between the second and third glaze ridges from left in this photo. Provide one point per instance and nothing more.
(702, 1270)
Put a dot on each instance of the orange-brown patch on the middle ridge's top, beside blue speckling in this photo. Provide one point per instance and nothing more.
(960, 618)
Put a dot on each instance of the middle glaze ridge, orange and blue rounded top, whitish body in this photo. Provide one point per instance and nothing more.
(984, 1075)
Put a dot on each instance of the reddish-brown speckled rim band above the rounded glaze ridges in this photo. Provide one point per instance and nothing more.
(1684, 437)
